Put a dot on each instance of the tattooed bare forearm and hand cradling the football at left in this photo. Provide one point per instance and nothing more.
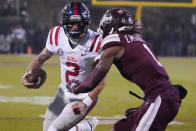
(36, 63)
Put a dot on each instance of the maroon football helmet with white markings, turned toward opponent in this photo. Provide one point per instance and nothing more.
(116, 21)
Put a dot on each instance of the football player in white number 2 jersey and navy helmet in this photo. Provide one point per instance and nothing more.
(78, 49)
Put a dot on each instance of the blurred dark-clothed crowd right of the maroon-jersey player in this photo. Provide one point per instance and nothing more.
(173, 40)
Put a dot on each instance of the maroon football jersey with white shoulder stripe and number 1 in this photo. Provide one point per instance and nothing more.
(138, 64)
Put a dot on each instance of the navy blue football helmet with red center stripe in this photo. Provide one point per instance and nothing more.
(75, 13)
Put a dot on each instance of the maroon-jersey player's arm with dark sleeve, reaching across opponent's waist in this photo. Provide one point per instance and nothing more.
(100, 70)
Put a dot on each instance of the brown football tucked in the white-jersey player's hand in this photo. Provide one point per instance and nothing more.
(37, 76)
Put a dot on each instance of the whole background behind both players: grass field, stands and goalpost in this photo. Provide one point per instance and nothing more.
(170, 28)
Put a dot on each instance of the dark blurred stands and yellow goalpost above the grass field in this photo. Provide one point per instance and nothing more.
(170, 25)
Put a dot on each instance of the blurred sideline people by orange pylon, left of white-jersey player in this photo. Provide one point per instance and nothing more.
(22, 39)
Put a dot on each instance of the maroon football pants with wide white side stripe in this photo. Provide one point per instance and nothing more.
(153, 115)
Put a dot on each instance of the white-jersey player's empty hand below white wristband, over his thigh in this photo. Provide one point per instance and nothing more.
(78, 107)
